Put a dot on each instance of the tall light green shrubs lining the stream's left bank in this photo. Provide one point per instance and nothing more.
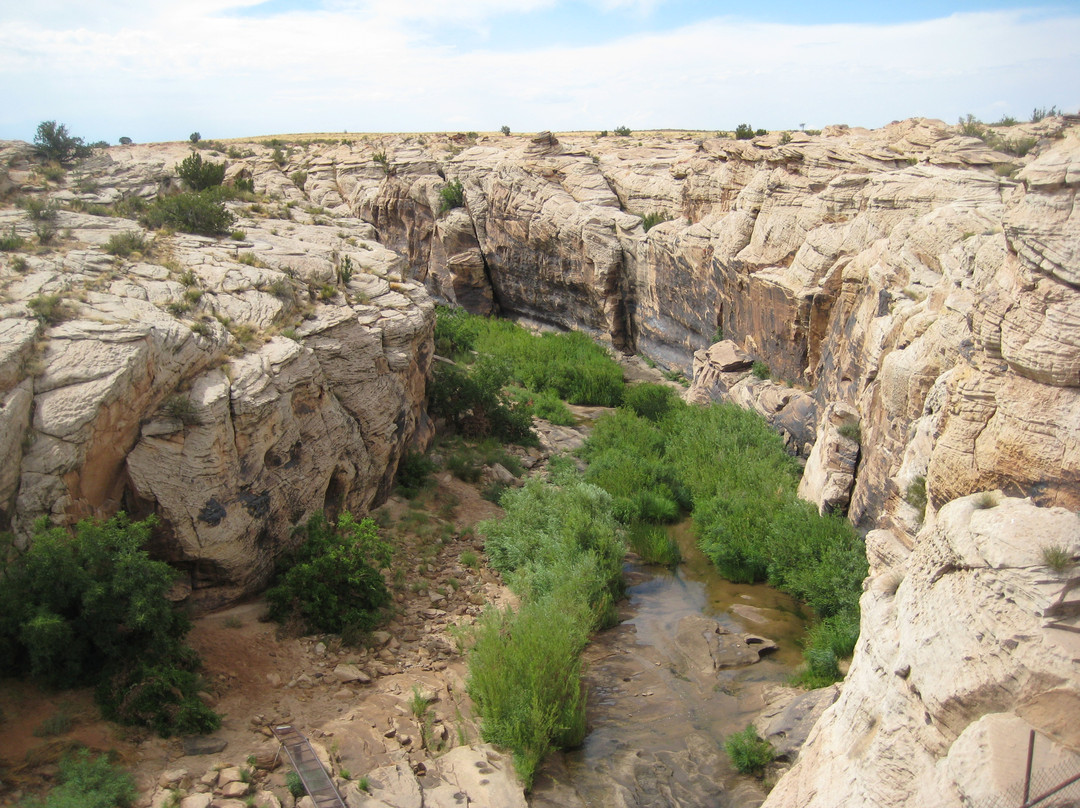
(561, 550)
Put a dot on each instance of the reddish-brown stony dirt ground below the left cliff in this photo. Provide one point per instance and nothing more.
(258, 672)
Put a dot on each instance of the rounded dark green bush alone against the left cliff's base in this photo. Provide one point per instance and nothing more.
(333, 582)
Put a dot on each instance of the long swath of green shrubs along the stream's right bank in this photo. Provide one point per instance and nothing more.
(732, 469)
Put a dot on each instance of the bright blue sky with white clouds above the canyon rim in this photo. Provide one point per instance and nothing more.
(160, 70)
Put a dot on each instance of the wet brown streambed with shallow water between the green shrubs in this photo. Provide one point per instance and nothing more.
(657, 717)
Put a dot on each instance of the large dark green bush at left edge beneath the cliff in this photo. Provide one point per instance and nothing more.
(91, 609)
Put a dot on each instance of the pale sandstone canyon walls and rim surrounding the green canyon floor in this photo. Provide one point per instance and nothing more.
(908, 286)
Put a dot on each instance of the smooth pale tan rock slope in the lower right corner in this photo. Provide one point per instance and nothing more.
(938, 654)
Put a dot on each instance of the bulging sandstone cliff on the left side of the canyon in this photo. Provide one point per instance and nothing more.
(231, 387)
